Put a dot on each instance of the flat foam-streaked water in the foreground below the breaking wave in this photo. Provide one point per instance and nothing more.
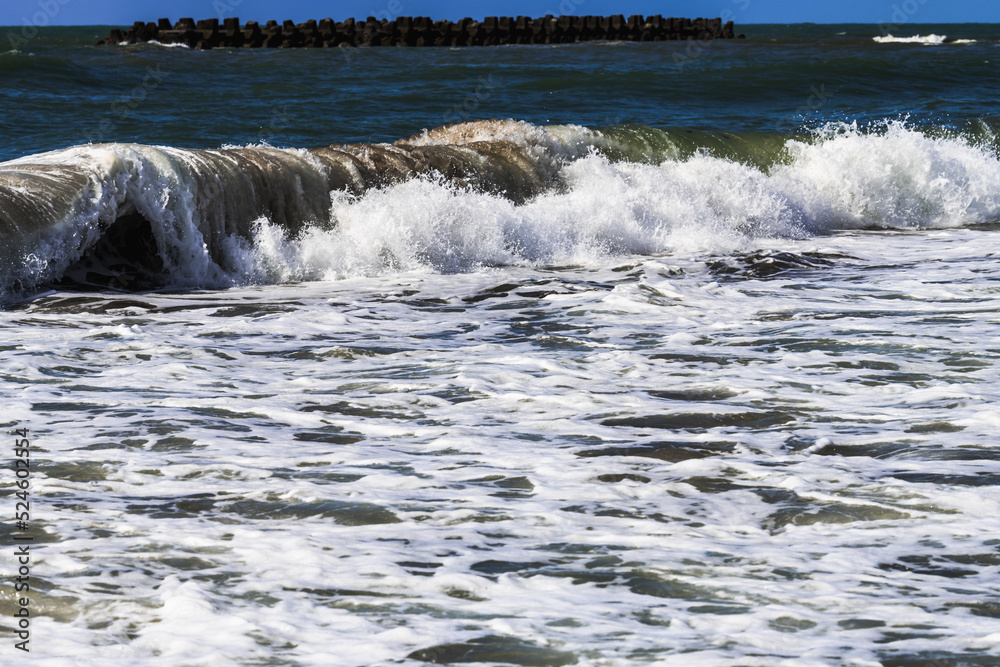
(172, 506)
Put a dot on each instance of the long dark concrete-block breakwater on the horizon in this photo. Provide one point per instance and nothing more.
(421, 31)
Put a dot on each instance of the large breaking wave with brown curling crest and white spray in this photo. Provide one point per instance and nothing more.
(463, 197)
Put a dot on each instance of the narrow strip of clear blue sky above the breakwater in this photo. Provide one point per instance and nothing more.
(125, 12)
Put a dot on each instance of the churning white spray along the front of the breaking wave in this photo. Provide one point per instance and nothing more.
(894, 178)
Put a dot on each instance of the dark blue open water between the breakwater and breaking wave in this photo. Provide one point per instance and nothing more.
(60, 91)
